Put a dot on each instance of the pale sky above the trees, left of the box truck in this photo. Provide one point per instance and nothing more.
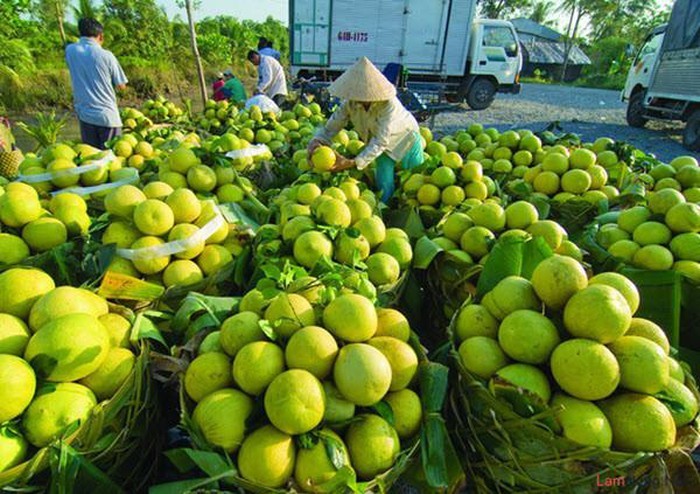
(256, 10)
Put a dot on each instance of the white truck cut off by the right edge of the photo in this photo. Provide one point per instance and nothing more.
(664, 80)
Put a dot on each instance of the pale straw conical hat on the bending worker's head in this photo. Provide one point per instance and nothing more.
(362, 82)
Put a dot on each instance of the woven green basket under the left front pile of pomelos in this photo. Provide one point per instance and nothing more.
(115, 449)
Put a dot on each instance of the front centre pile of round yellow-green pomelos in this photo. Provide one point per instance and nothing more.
(325, 380)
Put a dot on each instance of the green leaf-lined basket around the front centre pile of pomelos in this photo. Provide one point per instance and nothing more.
(220, 470)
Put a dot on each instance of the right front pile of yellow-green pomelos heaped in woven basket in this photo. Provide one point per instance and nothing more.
(574, 344)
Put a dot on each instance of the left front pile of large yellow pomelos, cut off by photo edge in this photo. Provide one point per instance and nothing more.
(61, 352)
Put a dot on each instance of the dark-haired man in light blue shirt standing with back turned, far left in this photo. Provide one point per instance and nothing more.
(95, 74)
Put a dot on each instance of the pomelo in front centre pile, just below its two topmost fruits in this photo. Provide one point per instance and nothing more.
(312, 349)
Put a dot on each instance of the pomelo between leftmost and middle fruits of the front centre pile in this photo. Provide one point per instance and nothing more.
(256, 365)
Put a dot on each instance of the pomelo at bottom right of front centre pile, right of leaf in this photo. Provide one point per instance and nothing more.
(373, 445)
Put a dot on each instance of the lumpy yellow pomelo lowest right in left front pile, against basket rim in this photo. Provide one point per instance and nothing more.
(55, 406)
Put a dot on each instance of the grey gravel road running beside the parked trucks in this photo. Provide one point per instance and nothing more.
(591, 113)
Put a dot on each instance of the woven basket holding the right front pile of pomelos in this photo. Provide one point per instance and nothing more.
(506, 452)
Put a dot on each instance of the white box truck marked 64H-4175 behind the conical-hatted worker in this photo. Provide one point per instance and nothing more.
(438, 42)
